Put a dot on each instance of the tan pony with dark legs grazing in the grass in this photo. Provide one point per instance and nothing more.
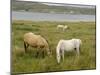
(36, 41)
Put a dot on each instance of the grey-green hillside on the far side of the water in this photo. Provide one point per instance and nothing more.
(42, 7)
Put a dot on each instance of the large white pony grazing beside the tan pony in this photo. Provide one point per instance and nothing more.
(67, 45)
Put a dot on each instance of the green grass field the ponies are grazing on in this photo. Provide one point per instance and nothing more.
(28, 63)
